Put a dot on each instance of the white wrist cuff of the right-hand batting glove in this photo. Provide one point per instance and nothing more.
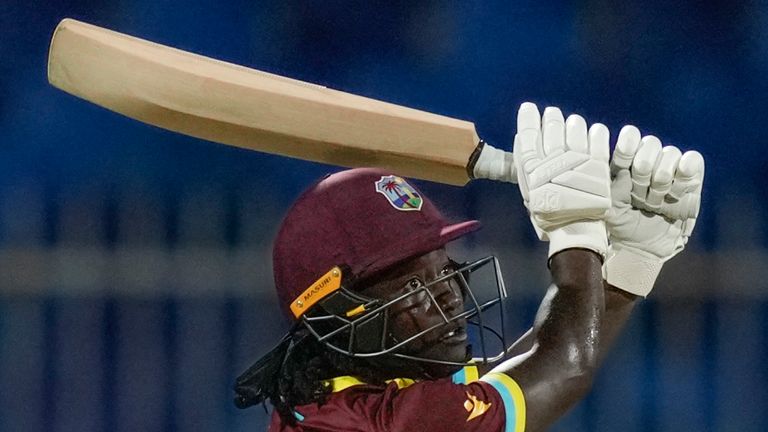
(632, 270)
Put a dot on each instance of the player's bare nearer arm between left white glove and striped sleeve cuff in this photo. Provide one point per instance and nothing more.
(558, 369)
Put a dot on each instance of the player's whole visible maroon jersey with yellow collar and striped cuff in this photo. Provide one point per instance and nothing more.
(458, 403)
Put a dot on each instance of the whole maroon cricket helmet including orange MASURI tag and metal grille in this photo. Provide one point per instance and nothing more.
(348, 227)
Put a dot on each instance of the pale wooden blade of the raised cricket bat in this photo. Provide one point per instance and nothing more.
(230, 104)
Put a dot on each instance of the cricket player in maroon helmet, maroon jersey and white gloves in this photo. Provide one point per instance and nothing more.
(381, 311)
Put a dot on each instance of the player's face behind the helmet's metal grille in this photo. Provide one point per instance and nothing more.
(418, 312)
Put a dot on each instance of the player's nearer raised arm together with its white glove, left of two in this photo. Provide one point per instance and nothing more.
(565, 182)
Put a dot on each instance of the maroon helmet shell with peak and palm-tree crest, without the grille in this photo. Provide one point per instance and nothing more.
(363, 220)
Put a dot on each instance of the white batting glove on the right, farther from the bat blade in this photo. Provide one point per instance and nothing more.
(656, 196)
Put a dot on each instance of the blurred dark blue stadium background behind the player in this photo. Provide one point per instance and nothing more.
(135, 275)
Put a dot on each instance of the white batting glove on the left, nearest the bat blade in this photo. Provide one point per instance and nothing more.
(564, 177)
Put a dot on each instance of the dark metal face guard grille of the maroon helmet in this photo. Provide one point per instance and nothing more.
(358, 326)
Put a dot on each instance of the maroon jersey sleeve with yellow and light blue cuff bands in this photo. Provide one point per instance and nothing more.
(460, 403)
